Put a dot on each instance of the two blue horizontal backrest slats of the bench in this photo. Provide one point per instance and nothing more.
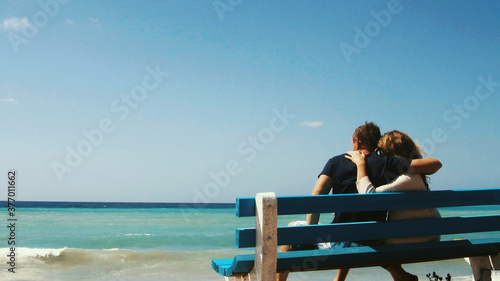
(373, 202)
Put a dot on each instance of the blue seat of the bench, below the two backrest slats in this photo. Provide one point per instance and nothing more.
(365, 256)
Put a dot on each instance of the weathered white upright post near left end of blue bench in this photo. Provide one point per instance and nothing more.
(266, 240)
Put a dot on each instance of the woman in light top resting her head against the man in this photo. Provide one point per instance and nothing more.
(397, 144)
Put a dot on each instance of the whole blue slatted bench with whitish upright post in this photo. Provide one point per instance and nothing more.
(267, 236)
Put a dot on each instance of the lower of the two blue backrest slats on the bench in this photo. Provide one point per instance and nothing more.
(378, 230)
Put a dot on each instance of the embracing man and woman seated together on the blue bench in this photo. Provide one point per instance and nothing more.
(363, 170)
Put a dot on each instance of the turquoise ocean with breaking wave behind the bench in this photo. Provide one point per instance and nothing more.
(148, 242)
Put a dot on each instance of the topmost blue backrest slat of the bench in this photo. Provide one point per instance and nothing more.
(289, 205)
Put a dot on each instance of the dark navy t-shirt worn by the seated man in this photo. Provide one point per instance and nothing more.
(380, 169)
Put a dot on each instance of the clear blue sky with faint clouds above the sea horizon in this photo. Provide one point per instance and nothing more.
(206, 101)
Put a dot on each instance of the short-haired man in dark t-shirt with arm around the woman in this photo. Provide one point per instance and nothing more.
(339, 176)
